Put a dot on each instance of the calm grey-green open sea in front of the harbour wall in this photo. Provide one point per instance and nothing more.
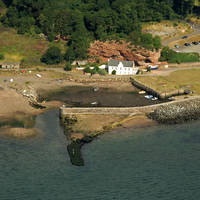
(160, 163)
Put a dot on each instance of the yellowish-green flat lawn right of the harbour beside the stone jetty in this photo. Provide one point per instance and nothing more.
(176, 80)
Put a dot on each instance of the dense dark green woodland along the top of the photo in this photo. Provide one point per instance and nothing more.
(81, 21)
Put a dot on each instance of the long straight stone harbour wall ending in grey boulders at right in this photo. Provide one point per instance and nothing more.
(178, 110)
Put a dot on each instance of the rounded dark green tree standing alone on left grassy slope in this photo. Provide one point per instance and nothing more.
(52, 56)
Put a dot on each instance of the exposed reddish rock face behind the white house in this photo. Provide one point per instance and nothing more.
(122, 51)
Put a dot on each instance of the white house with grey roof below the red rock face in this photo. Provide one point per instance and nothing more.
(122, 67)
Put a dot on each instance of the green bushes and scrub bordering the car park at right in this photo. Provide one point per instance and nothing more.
(171, 56)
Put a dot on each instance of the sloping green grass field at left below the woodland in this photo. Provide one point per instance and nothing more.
(18, 48)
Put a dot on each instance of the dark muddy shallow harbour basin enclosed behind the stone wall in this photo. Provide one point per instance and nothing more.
(80, 96)
